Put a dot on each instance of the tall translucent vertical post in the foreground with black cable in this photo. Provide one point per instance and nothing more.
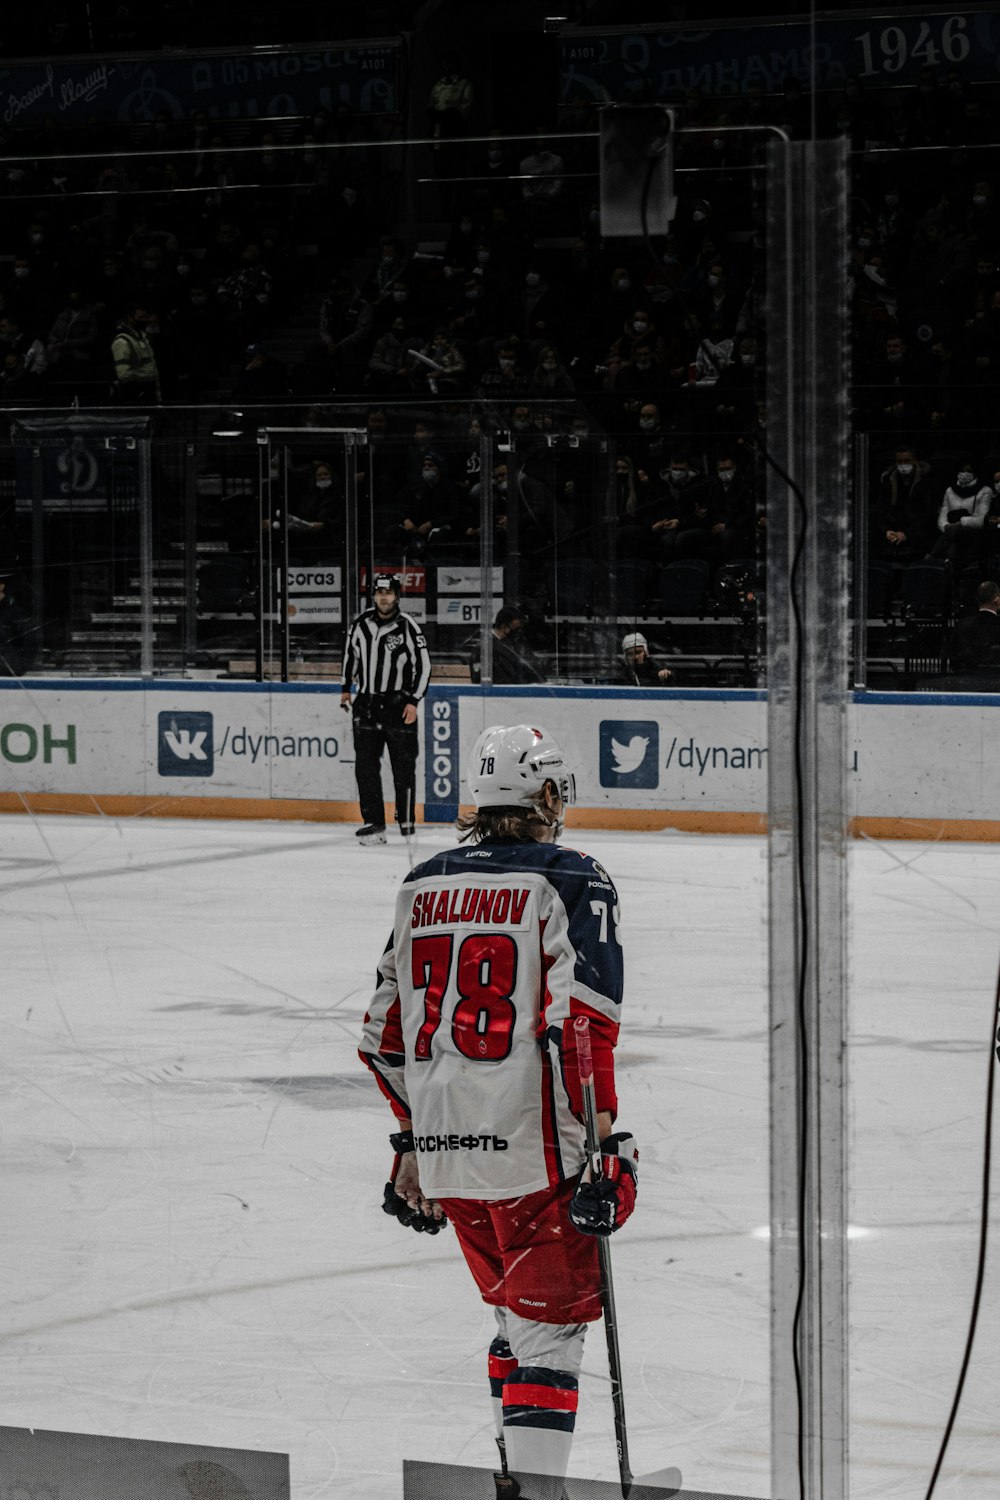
(807, 737)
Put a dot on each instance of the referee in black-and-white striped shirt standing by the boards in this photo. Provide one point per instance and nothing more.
(386, 656)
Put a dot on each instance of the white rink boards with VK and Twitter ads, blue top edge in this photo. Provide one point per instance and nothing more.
(696, 760)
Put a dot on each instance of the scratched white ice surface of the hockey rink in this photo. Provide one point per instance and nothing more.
(193, 1162)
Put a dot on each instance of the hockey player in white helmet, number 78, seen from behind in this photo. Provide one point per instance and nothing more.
(499, 946)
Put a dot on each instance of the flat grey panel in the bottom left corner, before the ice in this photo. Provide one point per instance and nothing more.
(58, 1466)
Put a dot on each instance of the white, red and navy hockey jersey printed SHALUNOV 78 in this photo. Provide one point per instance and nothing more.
(497, 946)
